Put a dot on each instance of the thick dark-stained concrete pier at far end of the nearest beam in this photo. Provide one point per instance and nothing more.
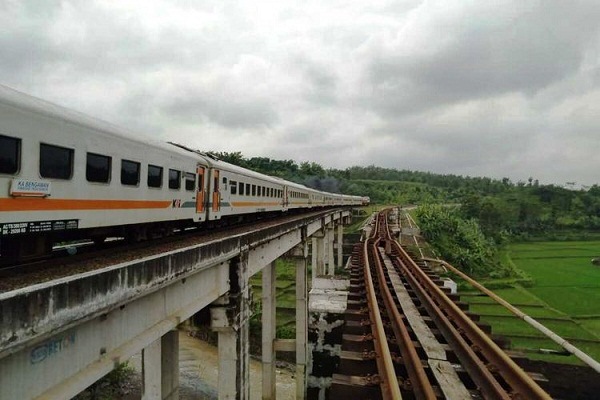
(230, 317)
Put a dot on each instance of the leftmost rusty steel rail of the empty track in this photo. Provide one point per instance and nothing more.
(390, 389)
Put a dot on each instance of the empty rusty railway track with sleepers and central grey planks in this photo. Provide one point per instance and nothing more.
(407, 338)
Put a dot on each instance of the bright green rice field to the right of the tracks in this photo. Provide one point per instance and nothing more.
(565, 296)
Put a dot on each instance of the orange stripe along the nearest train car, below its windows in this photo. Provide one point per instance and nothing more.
(40, 204)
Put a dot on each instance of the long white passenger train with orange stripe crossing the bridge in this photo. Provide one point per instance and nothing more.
(67, 176)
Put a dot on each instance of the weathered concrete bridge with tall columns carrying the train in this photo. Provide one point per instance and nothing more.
(59, 336)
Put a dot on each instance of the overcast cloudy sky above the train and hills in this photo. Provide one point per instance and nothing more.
(482, 88)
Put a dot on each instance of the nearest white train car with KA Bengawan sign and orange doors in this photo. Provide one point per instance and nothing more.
(62, 172)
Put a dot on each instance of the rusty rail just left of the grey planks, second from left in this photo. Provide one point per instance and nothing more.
(416, 373)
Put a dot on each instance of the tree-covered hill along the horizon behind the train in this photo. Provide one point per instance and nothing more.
(501, 207)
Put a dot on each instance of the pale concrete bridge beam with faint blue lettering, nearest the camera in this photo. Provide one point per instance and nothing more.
(66, 363)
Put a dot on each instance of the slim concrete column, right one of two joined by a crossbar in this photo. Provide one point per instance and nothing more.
(301, 324)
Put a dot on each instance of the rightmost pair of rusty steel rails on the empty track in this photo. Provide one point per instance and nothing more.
(521, 384)
